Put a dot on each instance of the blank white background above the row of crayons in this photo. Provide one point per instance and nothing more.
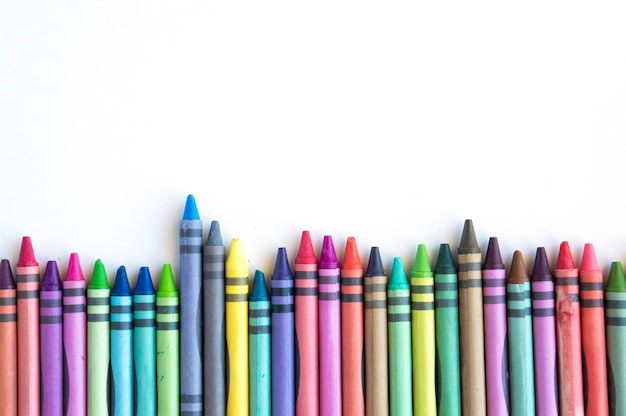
(389, 121)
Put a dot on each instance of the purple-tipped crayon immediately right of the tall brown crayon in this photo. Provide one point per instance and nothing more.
(494, 309)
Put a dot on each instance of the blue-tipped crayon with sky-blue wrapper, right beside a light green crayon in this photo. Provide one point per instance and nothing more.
(122, 393)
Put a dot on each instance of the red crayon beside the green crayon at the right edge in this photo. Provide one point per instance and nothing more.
(593, 335)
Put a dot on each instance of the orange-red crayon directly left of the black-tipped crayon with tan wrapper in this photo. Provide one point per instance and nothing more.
(351, 286)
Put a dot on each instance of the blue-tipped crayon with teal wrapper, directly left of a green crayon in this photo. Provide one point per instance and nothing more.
(144, 344)
